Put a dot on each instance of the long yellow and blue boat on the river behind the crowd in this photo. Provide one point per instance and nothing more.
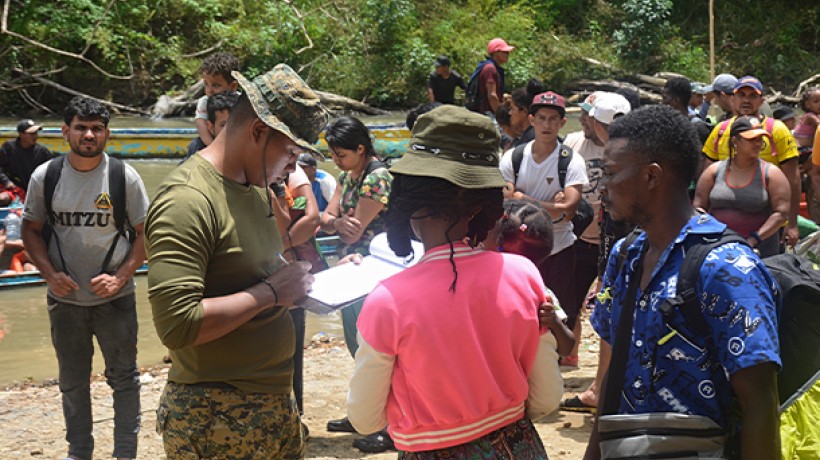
(389, 140)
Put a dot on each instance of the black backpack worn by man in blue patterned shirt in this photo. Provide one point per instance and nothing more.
(799, 322)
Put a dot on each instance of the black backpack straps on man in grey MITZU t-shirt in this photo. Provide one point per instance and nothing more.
(116, 180)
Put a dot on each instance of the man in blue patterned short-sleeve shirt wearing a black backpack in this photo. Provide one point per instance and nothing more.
(647, 165)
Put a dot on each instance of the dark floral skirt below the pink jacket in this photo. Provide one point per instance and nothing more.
(516, 441)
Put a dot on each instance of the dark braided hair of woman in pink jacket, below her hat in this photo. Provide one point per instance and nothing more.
(441, 199)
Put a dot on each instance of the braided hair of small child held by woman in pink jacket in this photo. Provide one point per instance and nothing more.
(525, 229)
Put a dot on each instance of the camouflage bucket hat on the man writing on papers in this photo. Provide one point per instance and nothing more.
(287, 104)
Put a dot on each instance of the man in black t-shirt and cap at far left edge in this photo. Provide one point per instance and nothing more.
(19, 158)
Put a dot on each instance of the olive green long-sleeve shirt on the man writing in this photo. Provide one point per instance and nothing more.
(208, 236)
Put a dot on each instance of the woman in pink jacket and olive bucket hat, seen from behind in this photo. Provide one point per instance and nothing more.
(450, 355)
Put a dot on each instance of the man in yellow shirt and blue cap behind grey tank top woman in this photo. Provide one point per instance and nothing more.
(780, 151)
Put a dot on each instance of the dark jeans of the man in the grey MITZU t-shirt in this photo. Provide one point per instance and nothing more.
(115, 326)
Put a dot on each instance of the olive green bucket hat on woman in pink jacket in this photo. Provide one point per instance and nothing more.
(454, 144)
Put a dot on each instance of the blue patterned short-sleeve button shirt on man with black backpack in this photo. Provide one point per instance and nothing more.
(669, 368)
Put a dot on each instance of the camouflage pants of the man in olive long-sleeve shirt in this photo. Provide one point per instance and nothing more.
(218, 423)
